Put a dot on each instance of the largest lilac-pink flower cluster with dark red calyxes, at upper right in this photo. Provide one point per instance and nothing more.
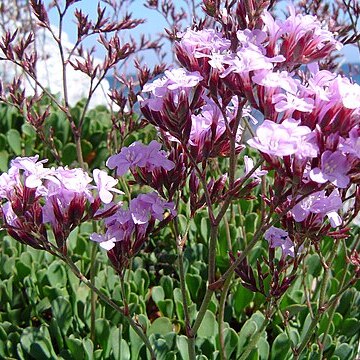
(309, 120)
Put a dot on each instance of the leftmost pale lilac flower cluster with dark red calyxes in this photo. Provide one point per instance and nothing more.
(33, 195)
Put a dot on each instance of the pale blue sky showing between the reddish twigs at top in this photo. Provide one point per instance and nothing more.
(154, 24)
